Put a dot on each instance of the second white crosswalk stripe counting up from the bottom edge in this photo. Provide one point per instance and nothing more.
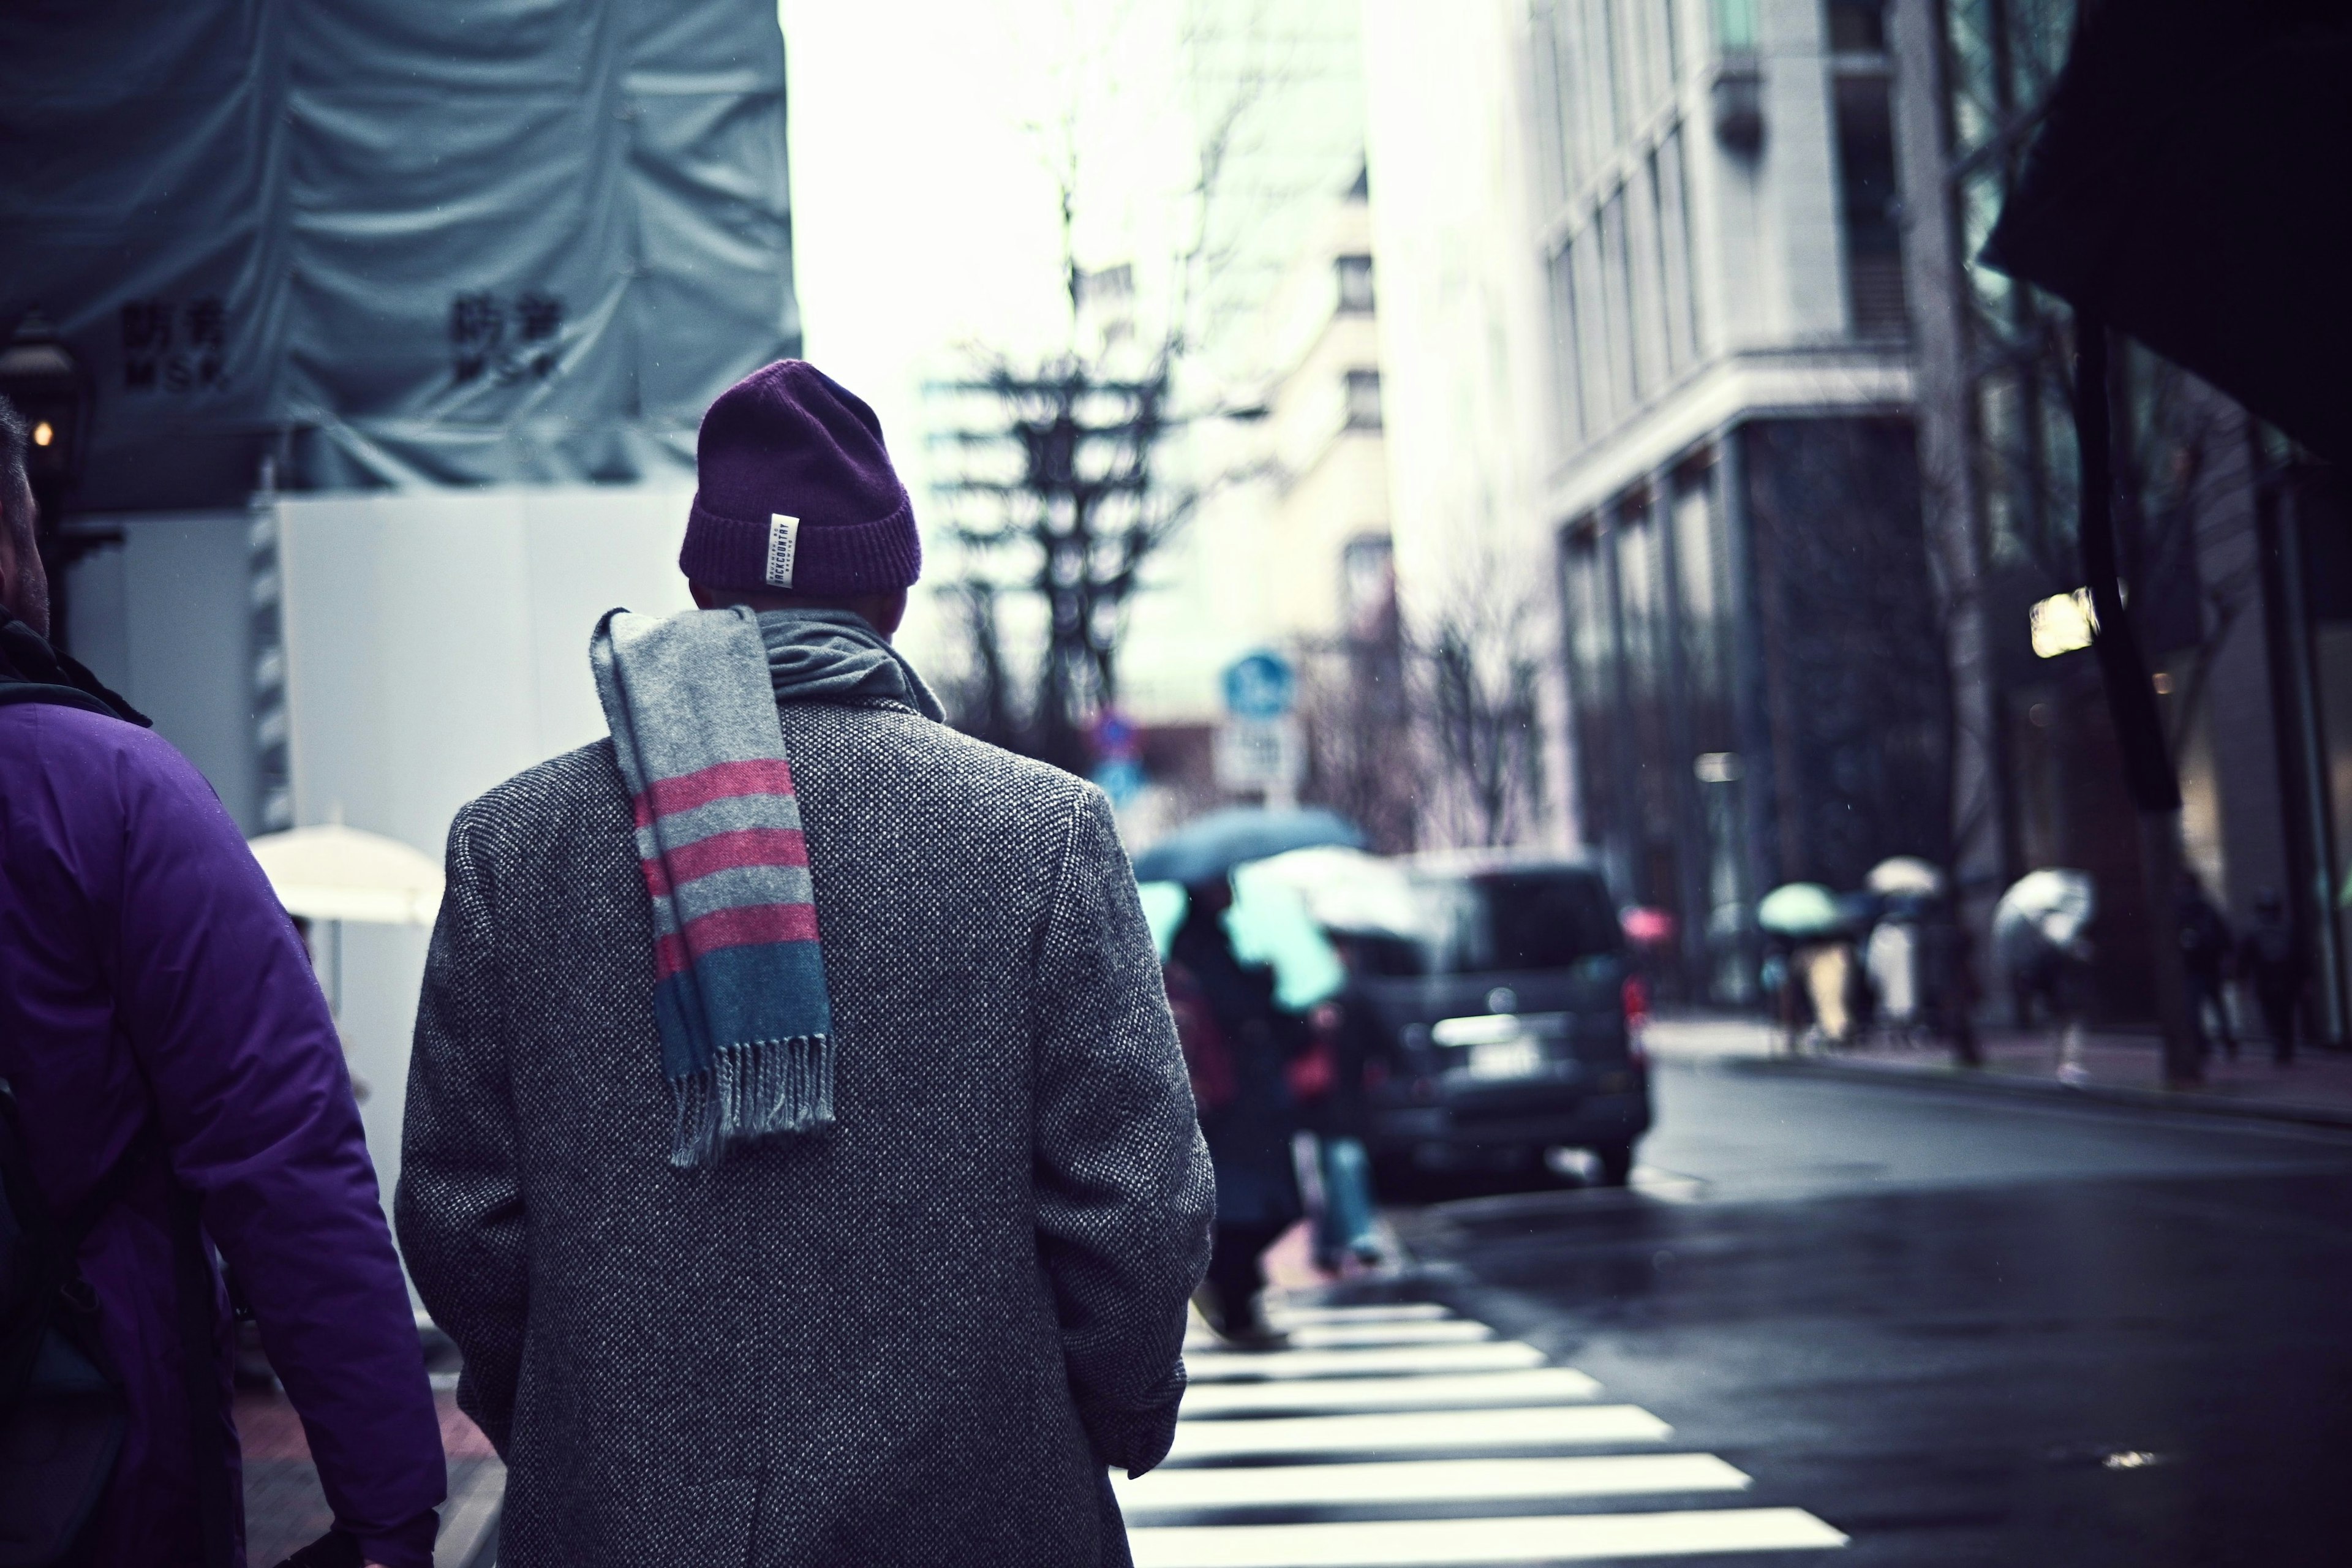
(1180, 1492)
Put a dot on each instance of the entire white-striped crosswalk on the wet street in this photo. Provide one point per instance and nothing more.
(1375, 1416)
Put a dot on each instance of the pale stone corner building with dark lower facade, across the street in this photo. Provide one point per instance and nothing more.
(1753, 643)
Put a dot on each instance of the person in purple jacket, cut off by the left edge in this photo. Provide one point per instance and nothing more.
(156, 1007)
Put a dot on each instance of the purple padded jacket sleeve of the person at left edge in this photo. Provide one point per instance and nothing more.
(218, 1000)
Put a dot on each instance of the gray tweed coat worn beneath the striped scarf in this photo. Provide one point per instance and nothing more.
(916, 1339)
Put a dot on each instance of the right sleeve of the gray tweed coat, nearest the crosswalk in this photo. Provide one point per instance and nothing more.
(1123, 1181)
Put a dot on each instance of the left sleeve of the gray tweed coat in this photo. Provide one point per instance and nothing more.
(460, 1205)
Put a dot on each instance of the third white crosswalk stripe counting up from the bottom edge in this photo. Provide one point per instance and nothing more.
(1415, 1433)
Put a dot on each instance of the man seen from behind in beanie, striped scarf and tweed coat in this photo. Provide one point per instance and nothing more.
(799, 1141)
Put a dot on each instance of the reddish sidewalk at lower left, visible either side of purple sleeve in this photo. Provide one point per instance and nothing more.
(286, 1510)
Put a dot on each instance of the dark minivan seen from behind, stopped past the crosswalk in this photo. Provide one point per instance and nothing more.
(1514, 1021)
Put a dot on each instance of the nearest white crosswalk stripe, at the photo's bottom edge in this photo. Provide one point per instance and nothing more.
(1424, 1543)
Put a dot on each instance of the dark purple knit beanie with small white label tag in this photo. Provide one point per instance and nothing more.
(796, 492)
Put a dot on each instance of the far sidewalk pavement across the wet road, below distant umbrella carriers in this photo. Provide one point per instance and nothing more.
(2113, 1068)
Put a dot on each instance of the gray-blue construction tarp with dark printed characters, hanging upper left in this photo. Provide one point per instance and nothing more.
(394, 243)
